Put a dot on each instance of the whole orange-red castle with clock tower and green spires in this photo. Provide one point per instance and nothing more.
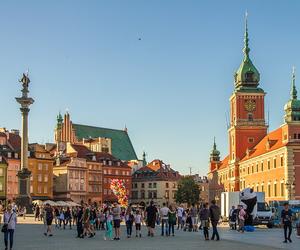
(267, 162)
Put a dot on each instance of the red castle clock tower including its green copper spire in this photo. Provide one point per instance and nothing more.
(247, 112)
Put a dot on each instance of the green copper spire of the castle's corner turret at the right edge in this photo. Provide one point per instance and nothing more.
(292, 108)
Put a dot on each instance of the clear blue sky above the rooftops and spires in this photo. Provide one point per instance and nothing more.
(171, 88)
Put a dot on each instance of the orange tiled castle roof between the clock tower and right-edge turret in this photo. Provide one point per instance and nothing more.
(274, 139)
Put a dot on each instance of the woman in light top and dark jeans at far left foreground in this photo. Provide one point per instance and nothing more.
(10, 221)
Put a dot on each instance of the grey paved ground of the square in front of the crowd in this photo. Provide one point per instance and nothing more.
(30, 237)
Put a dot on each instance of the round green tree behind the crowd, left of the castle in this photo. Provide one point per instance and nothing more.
(188, 191)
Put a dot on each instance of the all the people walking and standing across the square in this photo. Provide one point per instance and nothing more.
(90, 218)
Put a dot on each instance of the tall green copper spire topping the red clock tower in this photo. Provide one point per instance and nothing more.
(247, 76)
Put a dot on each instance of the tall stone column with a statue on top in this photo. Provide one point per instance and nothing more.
(24, 198)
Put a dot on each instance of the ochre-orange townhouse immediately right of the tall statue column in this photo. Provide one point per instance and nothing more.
(40, 163)
